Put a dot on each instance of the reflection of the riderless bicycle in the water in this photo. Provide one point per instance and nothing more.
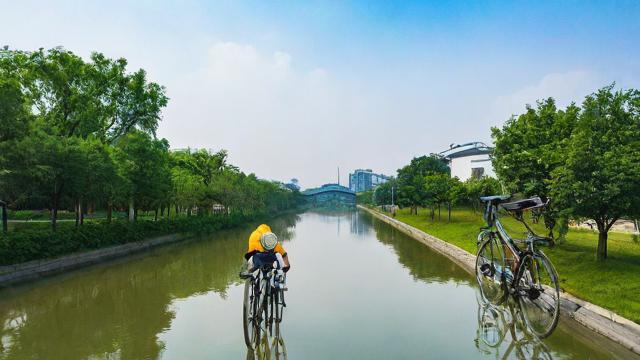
(503, 333)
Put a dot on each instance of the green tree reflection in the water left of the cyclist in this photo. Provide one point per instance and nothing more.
(120, 308)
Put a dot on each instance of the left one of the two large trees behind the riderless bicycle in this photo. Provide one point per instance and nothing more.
(529, 147)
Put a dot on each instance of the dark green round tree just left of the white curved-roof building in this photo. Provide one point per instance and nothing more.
(411, 180)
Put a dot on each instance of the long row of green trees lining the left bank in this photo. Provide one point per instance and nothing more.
(80, 135)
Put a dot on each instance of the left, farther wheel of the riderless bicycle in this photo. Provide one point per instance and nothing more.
(490, 271)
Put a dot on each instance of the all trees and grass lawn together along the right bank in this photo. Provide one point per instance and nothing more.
(585, 160)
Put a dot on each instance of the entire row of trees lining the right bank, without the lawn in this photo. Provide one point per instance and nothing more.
(584, 159)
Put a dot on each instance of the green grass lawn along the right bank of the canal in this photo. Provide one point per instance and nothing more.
(613, 284)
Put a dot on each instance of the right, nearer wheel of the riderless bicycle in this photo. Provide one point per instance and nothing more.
(538, 294)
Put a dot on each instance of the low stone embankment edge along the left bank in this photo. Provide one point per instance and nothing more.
(32, 270)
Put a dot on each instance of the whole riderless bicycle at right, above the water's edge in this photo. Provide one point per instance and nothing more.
(507, 266)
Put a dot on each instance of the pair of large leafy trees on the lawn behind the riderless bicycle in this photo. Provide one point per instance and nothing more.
(585, 159)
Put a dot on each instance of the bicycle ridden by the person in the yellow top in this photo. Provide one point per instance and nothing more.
(263, 309)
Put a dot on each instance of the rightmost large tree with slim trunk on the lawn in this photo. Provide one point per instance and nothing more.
(599, 176)
